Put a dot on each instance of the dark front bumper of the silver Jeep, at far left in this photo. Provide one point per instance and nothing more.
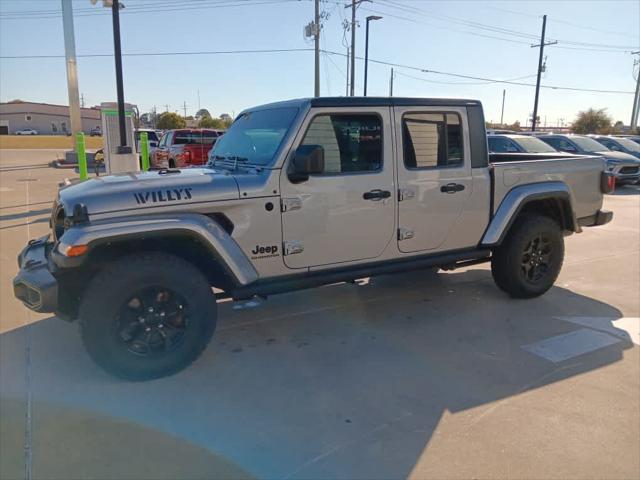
(34, 285)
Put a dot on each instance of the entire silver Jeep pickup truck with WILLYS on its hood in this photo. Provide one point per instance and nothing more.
(299, 194)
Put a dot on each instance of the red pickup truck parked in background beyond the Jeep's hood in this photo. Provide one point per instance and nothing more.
(184, 148)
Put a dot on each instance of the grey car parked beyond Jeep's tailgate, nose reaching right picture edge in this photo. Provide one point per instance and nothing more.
(625, 167)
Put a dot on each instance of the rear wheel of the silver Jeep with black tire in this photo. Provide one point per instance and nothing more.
(510, 260)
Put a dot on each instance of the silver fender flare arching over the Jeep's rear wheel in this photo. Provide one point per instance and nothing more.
(517, 198)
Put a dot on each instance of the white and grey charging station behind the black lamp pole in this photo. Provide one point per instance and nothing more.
(115, 162)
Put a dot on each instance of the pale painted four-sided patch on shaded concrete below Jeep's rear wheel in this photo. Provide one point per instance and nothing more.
(568, 345)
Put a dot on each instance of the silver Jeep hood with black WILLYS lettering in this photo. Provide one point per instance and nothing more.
(144, 190)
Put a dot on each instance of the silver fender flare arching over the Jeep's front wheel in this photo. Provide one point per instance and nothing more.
(206, 229)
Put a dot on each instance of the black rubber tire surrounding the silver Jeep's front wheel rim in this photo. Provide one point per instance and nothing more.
(108, 293)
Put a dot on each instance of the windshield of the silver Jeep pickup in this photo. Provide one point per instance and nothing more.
(255, 136)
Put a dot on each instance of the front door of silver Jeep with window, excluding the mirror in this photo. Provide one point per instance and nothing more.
(346, 213)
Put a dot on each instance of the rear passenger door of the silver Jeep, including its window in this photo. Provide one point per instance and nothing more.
(434, 175)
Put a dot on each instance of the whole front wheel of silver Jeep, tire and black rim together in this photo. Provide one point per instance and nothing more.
(147, 316)
